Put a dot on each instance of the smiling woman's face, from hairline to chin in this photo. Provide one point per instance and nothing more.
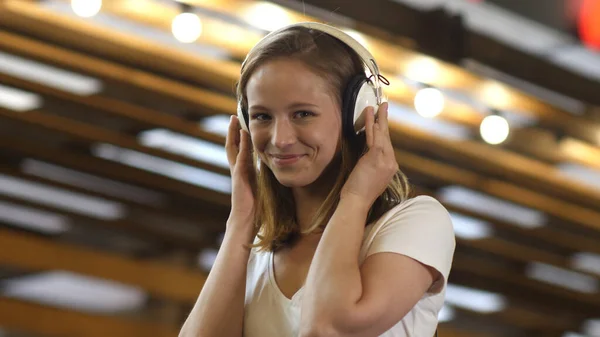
(295, 122)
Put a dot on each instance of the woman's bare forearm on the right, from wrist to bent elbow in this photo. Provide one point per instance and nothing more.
(333, 286)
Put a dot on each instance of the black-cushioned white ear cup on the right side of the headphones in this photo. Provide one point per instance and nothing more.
(359, 95)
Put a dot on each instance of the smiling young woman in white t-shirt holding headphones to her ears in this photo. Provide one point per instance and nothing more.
(322, 238)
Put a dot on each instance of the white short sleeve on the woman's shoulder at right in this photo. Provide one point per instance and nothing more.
(420, 228)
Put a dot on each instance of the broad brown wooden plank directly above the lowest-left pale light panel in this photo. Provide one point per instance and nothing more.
(32, 253)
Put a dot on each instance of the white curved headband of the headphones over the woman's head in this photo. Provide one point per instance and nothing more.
(362, 52)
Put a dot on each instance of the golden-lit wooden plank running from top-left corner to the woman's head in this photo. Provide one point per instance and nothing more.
(118, 46)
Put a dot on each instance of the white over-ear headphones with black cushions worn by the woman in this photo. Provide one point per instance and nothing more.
(362, 91)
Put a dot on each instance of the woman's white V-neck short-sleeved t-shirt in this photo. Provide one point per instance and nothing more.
(419, 228)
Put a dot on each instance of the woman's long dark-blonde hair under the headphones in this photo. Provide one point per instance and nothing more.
(275, 214)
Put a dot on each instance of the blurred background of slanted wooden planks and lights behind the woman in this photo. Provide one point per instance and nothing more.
(114, 184)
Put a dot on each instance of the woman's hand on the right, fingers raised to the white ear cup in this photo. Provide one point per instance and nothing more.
(377, 167)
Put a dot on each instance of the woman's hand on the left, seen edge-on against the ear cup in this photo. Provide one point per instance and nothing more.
(239, 154)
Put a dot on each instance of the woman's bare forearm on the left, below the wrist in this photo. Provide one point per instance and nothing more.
(219, 310)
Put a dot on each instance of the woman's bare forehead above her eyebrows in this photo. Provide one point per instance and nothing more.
(284, 80)
